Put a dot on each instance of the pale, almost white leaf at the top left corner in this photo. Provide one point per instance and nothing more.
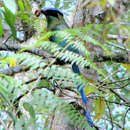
(11, 5)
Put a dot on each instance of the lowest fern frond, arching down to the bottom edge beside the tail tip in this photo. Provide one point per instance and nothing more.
(56, 104)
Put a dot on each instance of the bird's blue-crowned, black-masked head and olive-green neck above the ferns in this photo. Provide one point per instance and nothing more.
(55, 19)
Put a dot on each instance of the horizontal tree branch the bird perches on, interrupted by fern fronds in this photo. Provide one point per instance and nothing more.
(115, 57)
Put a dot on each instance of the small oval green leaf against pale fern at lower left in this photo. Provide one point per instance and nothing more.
(30, 109)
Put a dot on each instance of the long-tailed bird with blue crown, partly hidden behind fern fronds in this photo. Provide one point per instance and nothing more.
(56, 22)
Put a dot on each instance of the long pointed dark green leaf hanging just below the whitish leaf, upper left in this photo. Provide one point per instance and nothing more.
(10, 19)
